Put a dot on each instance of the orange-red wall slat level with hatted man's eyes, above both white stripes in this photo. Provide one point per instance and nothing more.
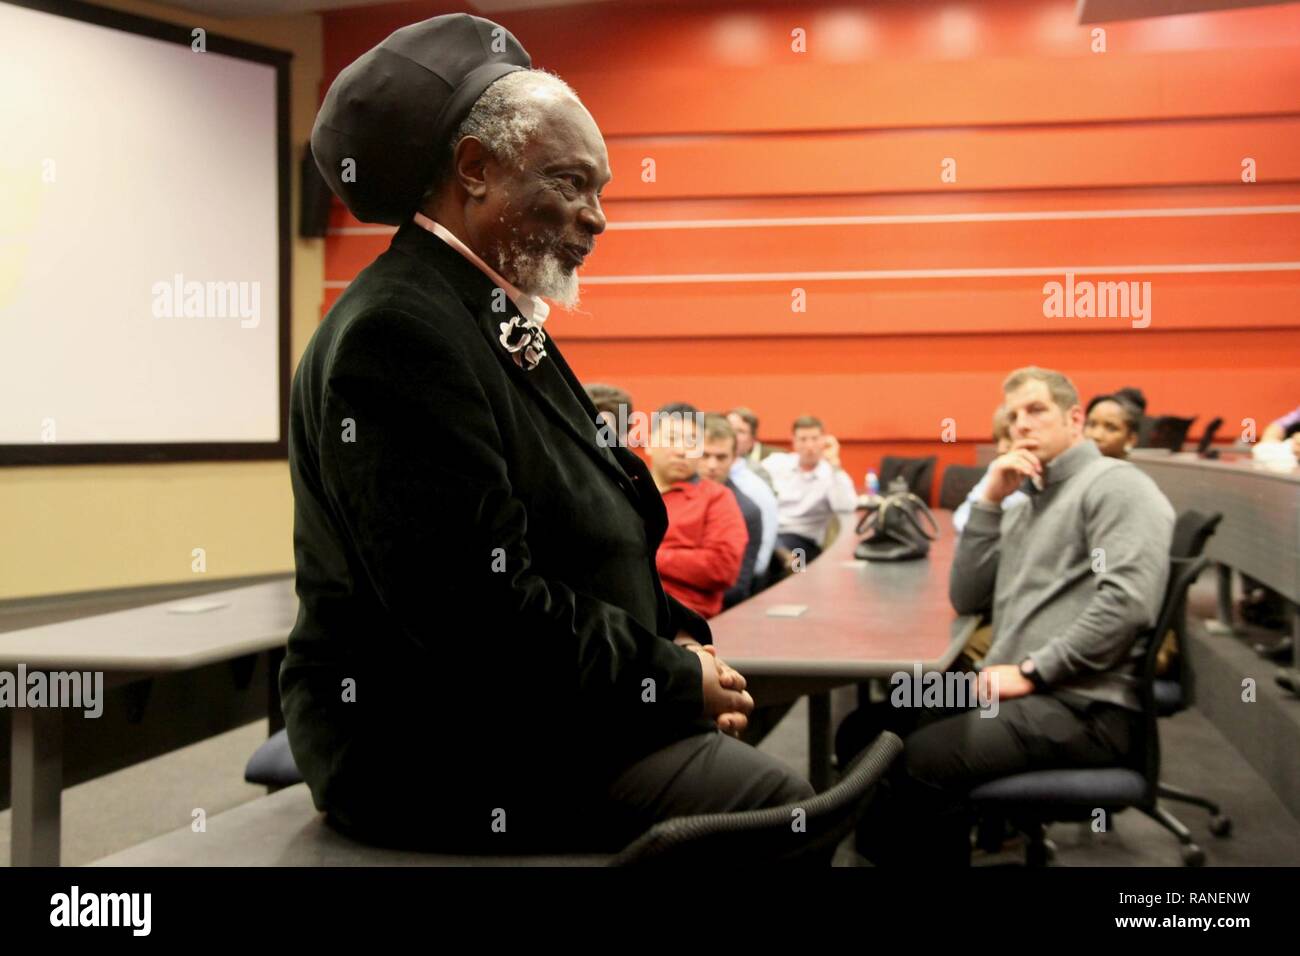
(1176, 154)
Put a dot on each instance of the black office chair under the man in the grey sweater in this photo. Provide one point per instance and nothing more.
(1032, 801)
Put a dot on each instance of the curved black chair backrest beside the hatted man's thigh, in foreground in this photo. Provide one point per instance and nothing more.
(804, 834)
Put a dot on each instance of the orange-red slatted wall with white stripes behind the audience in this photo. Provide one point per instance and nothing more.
(743, 128)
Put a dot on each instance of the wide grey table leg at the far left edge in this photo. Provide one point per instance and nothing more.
(37, 786)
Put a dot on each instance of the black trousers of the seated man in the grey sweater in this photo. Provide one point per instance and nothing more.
(920, 816)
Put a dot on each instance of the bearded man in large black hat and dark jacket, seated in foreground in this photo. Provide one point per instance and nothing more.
(484, 656)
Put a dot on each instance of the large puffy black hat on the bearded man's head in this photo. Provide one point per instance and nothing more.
(396, 109)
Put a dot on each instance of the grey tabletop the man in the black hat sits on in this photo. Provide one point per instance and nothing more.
(285, 829)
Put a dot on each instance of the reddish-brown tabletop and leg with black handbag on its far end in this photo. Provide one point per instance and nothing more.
(861, 621)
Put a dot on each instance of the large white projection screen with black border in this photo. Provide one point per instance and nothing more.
(144, 240)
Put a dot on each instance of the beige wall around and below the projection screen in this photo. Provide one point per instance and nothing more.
(88, 527)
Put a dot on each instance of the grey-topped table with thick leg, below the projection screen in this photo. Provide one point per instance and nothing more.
(127, 647)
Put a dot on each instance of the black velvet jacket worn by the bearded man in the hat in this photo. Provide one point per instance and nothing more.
(476, 563)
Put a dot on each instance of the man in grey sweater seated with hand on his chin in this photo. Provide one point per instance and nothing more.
(1063, 661)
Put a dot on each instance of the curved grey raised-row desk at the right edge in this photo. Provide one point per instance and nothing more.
(1260, 533)
